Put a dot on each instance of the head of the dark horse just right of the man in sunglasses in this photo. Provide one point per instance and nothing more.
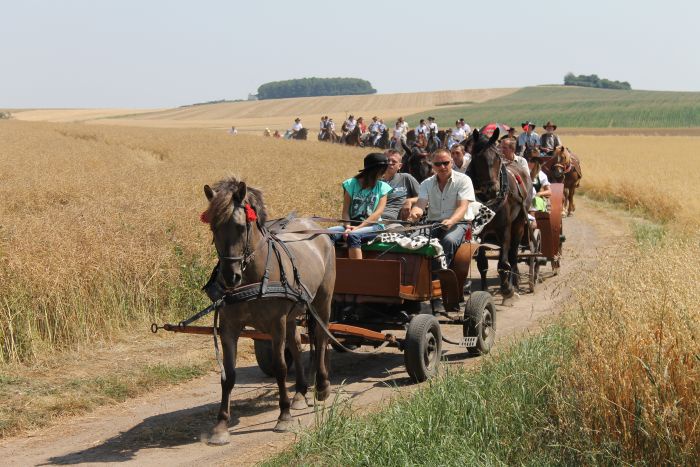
(485, 167)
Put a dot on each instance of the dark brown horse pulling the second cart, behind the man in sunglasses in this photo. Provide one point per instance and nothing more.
(507, 190)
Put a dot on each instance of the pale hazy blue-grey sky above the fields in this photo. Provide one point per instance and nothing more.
(166, 53)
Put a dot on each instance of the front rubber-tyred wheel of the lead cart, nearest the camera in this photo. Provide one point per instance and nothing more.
(423, 347)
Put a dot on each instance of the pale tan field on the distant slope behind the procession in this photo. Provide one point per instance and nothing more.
(274, 114)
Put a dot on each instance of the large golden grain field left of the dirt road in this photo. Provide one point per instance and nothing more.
(100, 225)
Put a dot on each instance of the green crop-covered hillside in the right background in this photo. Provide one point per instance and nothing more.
(577, 107)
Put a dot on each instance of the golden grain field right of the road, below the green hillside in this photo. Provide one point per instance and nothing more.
(651, 174)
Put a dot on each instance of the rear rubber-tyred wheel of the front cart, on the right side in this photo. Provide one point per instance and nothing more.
(480, 322)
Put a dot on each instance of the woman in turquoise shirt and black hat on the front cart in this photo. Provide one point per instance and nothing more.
(363, 204)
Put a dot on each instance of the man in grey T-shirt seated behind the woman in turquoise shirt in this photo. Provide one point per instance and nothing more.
(404, 186)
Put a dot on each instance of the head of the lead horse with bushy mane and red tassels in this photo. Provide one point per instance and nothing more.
(235, 214)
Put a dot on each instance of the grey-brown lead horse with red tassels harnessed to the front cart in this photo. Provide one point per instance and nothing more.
(237, 217)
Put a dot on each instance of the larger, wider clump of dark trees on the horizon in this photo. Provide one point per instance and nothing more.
(307, 87)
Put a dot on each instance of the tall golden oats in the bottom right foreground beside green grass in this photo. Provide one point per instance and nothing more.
(635, 380)
